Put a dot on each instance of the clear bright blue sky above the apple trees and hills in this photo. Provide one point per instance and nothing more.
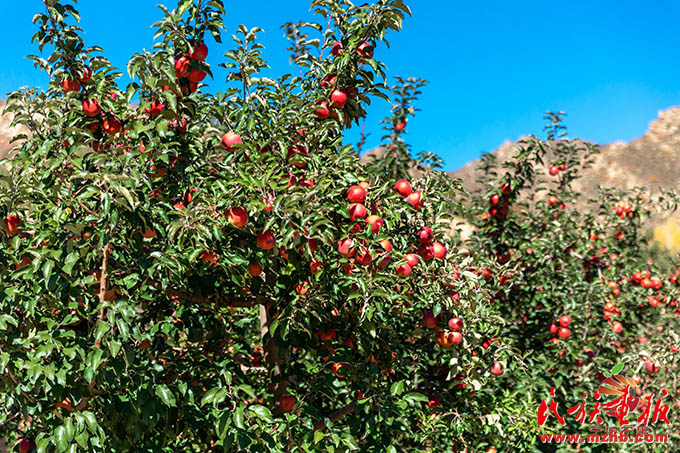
(493, 66)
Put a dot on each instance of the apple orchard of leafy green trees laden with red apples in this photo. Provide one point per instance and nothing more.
(185, 271)
